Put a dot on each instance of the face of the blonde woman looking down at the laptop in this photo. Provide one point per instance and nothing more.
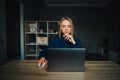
(65, 27)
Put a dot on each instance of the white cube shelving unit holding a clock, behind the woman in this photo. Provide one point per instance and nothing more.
(38, 37)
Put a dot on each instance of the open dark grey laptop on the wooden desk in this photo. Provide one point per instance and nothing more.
(66, 59)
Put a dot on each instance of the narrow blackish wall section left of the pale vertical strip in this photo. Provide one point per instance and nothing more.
(12, 29)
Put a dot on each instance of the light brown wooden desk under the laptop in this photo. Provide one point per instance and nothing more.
(27, 70)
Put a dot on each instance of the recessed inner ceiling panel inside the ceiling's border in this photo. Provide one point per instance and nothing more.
(77, 2)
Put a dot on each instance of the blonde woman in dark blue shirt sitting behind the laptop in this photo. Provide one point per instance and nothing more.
(65, 39)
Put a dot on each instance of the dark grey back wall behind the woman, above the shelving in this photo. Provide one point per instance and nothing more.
(90, 23)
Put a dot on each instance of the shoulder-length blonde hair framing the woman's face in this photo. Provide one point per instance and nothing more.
(72, 26)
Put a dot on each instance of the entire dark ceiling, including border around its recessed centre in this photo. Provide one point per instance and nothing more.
(68, 3)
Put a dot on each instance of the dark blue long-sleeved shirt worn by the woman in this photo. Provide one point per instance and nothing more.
(57, 42)
